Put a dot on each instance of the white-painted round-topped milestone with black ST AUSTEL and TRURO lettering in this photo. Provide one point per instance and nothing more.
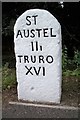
(37, 38)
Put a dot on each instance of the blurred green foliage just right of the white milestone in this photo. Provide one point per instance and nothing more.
(71, 67)
